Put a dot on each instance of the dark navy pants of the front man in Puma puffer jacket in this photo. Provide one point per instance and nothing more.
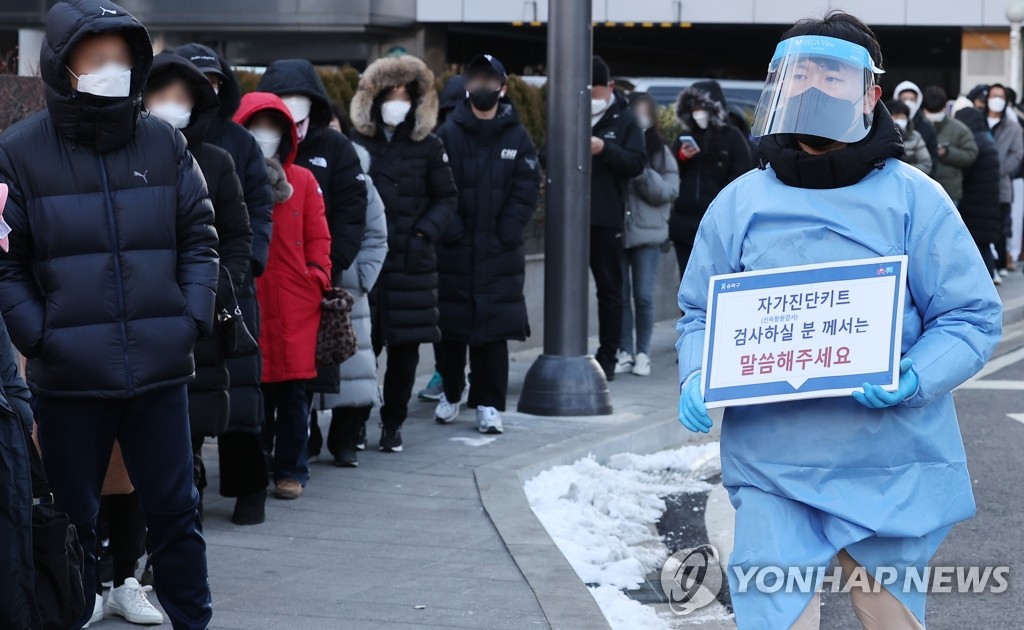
(77, 437)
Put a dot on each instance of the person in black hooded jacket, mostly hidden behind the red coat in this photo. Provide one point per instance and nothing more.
(333, 161)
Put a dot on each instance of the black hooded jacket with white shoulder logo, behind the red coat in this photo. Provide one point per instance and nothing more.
(329, 155)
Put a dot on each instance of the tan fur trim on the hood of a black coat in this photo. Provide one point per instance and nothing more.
(390, 73)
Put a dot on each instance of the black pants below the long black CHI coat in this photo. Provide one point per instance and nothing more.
(490, 364)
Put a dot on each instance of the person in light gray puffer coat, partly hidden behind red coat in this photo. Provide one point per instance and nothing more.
(359, 393)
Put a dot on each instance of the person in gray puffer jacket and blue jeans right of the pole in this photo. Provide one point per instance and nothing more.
(649, 206)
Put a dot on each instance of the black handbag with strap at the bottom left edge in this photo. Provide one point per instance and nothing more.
(57, 554)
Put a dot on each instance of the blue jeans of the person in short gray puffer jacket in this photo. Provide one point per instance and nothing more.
(639, 274)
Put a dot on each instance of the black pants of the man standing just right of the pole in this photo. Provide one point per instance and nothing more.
(607, 266)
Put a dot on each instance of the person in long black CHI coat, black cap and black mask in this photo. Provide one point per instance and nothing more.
(482, 260)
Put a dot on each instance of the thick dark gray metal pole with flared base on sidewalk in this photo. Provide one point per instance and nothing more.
(566, 382)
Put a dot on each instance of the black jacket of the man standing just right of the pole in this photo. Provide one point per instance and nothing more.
(622, 160)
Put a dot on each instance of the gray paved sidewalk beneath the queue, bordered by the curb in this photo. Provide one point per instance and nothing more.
(403, 541)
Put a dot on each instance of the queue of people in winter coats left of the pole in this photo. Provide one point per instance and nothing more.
(191, 218)
